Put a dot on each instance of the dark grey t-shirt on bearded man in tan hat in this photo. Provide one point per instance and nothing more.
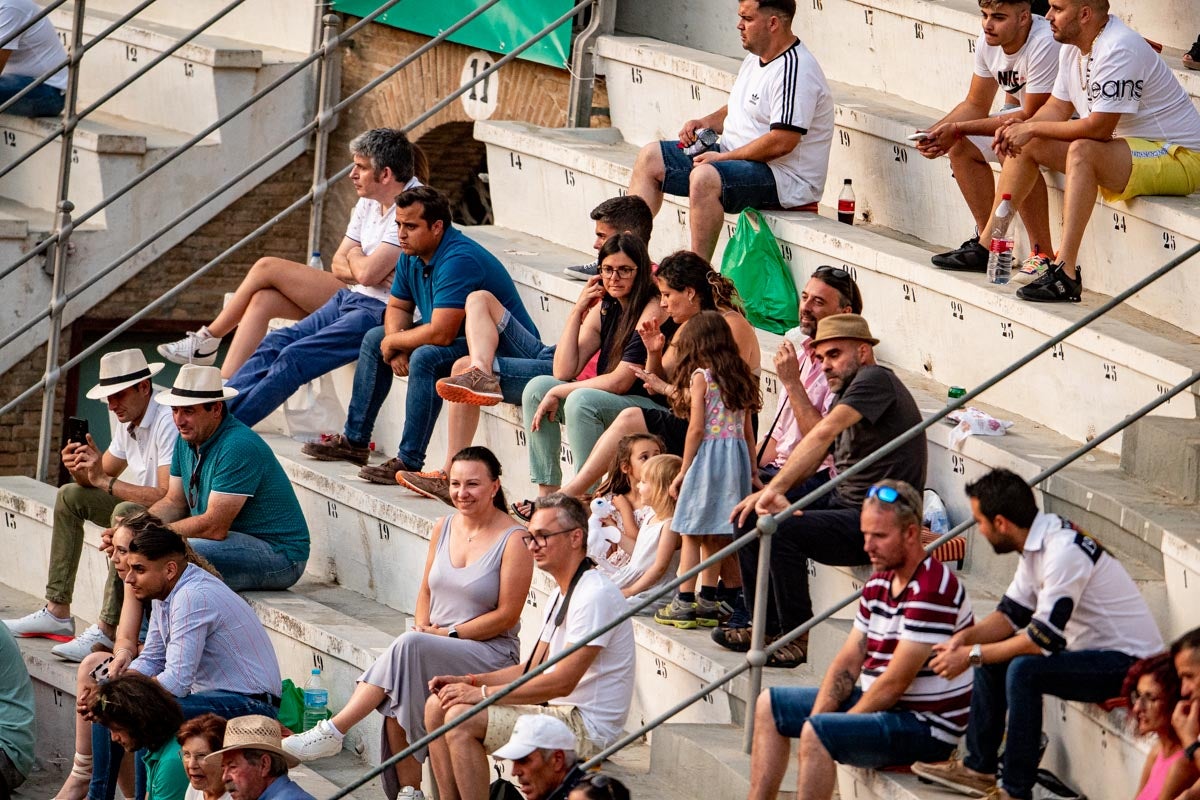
(887, 411)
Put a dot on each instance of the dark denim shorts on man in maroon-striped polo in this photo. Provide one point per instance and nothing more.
(893, 738)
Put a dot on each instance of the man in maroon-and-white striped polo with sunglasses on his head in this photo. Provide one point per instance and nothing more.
(902, 712)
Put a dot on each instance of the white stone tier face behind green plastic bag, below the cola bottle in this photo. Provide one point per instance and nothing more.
(934, 311)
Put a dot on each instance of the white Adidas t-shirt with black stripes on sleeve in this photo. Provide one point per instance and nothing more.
(789, 93)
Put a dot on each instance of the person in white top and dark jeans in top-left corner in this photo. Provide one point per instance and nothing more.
(27, 57)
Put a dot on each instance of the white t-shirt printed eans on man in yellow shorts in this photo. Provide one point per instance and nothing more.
(1125, 76)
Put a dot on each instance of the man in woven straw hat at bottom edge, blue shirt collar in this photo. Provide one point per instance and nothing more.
(254, 766)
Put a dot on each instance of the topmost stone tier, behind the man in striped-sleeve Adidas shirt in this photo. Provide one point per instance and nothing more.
(890, 45)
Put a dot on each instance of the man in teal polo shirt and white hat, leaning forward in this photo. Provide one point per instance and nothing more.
(229, 495)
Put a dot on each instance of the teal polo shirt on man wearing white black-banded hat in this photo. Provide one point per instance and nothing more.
(237, 461)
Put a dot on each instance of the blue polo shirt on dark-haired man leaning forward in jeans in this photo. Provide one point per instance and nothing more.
(460, 266)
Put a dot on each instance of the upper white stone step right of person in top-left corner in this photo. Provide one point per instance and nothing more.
(205, 80)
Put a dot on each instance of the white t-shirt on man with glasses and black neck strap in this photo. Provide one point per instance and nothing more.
(604, 693)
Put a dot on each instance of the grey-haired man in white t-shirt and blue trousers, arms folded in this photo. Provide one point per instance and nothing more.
(333, 335)
